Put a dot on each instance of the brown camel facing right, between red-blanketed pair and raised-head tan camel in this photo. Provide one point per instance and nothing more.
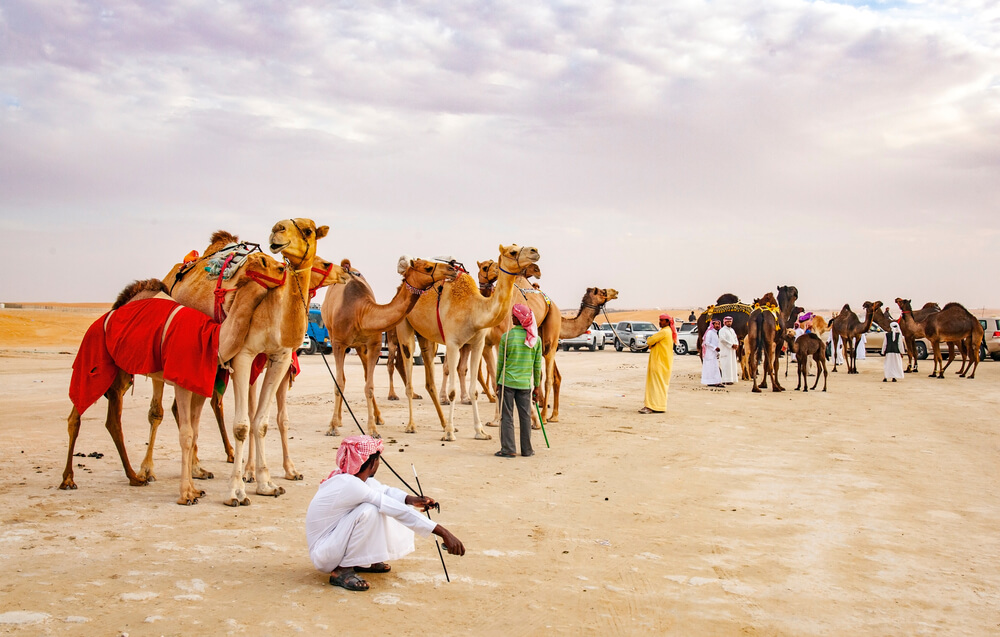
(356, 320)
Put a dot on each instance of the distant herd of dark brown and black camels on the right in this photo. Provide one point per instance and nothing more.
(764, 329)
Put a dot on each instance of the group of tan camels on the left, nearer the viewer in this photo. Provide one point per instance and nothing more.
(262, 305)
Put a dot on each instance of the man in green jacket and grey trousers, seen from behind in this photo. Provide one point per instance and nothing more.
(519, 368)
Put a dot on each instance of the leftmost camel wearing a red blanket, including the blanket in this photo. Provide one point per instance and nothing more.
(147, 332)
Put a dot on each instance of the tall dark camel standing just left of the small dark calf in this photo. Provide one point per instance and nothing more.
(769, 319)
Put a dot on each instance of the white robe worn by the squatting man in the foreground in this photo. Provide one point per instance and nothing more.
(355, 523)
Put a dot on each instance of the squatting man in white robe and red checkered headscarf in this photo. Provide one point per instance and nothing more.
(355, 524)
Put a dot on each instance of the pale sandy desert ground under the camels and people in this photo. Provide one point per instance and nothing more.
(868, 510)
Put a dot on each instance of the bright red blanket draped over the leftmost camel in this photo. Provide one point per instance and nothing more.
(131, 341)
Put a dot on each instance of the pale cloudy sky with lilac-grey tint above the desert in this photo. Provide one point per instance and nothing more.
(673, 151)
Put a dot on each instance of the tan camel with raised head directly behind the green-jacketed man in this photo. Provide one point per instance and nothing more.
(457, 314)
